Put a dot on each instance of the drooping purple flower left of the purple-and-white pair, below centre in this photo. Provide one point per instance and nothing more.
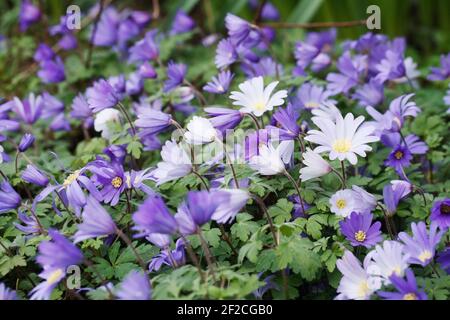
(153, 216)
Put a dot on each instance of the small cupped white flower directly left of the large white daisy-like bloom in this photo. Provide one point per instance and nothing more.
(269, 161)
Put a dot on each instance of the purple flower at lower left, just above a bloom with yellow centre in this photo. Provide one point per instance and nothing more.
(58, 253)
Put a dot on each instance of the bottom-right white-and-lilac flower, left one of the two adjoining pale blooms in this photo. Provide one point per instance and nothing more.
(356, 283)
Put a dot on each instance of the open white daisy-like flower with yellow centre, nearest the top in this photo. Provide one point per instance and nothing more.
(255, 99)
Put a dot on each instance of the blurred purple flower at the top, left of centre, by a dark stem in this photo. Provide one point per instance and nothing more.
(107, 28)
